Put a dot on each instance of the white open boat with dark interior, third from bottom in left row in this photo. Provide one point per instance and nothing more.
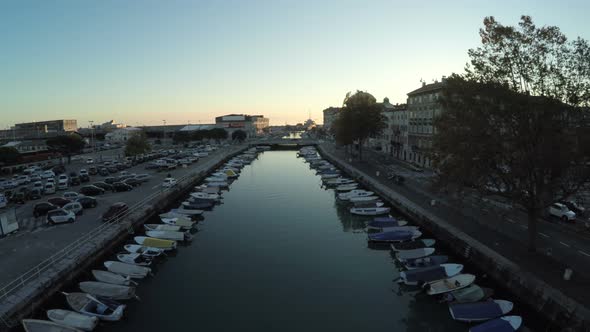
(89, 305)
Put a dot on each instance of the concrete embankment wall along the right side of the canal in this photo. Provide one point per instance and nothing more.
(565, 312)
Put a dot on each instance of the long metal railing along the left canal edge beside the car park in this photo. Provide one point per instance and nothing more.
(94, 236)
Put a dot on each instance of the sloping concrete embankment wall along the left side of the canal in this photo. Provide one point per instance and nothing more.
(31, 295)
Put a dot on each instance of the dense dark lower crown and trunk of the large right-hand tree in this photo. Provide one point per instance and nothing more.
(528, 149)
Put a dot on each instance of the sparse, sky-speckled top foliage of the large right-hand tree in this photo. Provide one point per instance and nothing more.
(533, 60)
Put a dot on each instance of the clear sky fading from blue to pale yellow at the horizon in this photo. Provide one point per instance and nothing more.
(146, 62)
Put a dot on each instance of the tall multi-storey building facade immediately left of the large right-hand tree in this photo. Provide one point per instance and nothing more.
(423, 106)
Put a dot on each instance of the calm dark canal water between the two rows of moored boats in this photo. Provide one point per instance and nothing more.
(280, 254)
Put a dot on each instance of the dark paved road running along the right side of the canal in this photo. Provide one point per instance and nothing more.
(504, 230)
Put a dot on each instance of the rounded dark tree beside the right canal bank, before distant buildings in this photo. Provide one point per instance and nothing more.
(359, 119)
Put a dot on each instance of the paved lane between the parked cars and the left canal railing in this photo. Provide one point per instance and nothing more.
(25, 249)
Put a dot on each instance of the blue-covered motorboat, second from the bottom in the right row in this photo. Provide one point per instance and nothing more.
(480, 311)
